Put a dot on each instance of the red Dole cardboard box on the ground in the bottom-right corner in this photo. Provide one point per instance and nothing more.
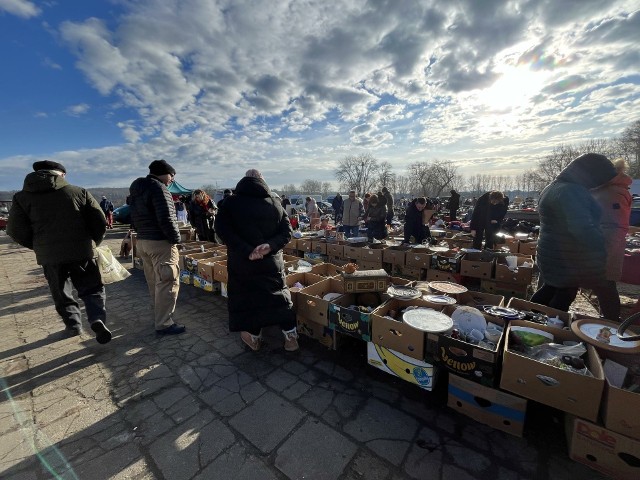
(603, 450)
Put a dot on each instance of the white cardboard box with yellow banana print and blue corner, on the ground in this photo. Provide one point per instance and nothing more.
(407, 368)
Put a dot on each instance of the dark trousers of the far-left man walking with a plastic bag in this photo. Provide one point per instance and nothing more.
(84, 275)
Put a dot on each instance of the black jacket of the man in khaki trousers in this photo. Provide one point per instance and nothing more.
(153, 213)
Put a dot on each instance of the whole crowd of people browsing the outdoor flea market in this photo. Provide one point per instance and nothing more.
(584, 217)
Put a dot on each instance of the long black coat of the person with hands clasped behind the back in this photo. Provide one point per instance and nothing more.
(258, 295)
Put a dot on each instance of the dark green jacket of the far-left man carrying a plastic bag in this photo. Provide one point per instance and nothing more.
(60, 222)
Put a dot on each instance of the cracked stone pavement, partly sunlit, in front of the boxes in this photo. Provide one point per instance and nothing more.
(201, 405)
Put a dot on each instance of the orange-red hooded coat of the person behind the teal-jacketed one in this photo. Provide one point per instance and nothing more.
(615, 200)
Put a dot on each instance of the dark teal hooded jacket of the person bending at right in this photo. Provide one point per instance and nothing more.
(571, 248)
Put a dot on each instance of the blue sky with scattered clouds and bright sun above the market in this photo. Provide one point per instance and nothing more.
(291, 87)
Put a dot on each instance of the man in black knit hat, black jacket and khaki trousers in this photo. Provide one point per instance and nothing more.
(153, 216)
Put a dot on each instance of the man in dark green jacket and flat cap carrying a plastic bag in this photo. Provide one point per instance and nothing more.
(62, 224)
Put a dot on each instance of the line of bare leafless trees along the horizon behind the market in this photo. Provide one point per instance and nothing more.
(435, 178)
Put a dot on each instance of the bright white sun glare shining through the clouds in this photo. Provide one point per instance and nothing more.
(513, 90)
